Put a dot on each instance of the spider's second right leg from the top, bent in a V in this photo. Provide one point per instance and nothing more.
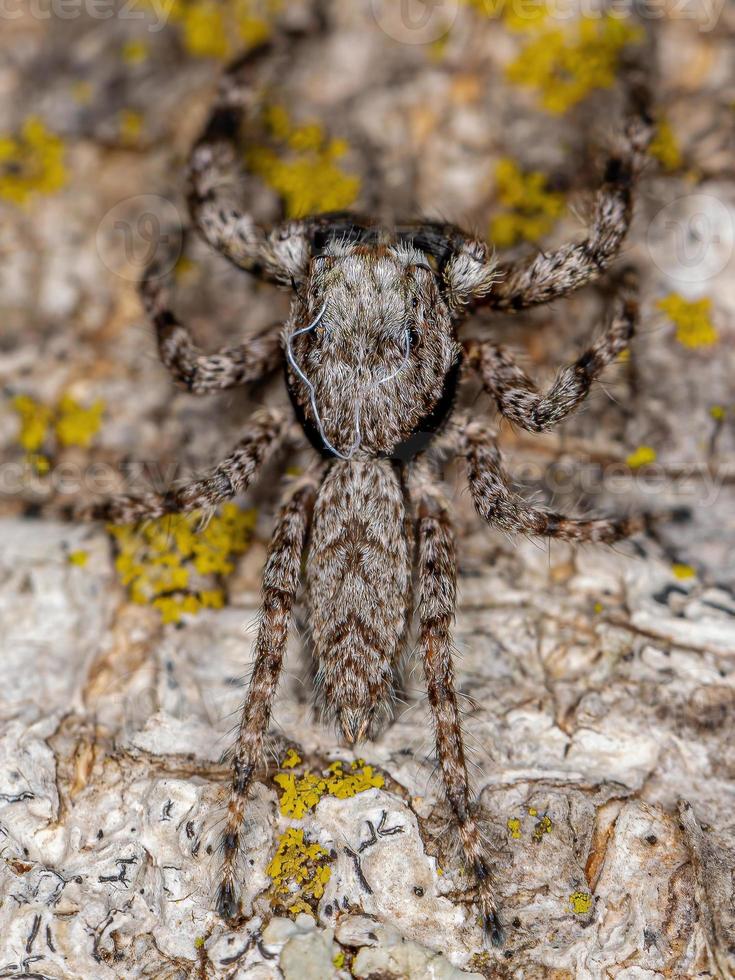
(516, 395)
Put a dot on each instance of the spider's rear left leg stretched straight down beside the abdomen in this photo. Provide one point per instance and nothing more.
(280, 583)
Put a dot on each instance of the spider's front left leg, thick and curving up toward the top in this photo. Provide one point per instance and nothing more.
(277, 255)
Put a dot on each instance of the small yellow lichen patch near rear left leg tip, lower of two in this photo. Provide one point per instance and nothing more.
(299, 870)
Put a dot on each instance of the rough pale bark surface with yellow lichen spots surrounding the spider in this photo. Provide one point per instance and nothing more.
(598, 684)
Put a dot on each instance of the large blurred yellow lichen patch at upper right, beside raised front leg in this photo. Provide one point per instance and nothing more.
(565, 66)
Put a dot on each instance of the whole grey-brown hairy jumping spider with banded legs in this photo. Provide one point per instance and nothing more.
(372, 362)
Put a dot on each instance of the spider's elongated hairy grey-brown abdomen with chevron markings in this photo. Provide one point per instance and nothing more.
(358, 583)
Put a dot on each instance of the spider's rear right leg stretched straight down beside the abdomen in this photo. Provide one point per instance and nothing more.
(437, 578)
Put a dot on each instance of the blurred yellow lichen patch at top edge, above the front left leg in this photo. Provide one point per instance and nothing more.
(220, 28)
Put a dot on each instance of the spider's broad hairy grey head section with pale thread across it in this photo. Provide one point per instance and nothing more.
(372, 358)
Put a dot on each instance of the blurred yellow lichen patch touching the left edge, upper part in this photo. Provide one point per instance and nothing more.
(31, 162)
